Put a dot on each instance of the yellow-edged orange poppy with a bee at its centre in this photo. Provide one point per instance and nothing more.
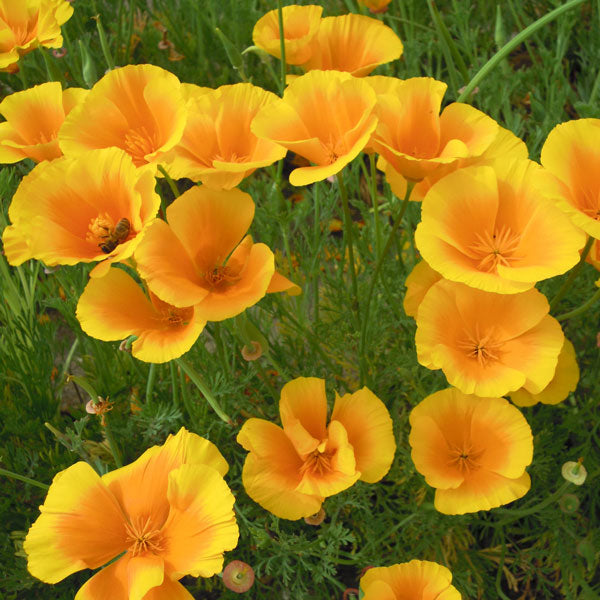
(81, 209)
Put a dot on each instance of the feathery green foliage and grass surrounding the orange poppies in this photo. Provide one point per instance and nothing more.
(530, 549)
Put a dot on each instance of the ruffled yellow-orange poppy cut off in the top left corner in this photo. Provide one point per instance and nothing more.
(27, 24)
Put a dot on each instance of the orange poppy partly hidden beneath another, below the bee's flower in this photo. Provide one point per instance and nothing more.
(113, 307)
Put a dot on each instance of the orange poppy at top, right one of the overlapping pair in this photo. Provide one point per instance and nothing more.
(353, 43)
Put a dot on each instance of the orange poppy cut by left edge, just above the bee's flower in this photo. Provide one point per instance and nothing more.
(33, 118)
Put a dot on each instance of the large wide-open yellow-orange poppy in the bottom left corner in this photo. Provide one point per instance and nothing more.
(170, 513)
